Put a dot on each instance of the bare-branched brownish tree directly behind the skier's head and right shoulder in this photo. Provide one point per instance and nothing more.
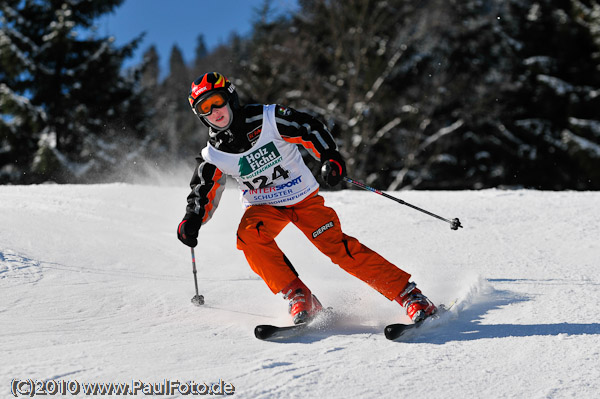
(330, 59)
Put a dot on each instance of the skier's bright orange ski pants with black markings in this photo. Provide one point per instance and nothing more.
(262, 223)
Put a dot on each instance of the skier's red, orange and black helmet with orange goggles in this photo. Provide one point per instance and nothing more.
(221, 91)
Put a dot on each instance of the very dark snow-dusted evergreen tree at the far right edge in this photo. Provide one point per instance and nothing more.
(555, 105)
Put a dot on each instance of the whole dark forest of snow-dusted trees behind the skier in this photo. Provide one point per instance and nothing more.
(430, 94)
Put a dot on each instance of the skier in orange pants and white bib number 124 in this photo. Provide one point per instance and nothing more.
(257, 145)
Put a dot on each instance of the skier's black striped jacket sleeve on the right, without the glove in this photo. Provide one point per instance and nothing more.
(301, 128)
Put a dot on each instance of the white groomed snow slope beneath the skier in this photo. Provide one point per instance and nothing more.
(95, 287)
